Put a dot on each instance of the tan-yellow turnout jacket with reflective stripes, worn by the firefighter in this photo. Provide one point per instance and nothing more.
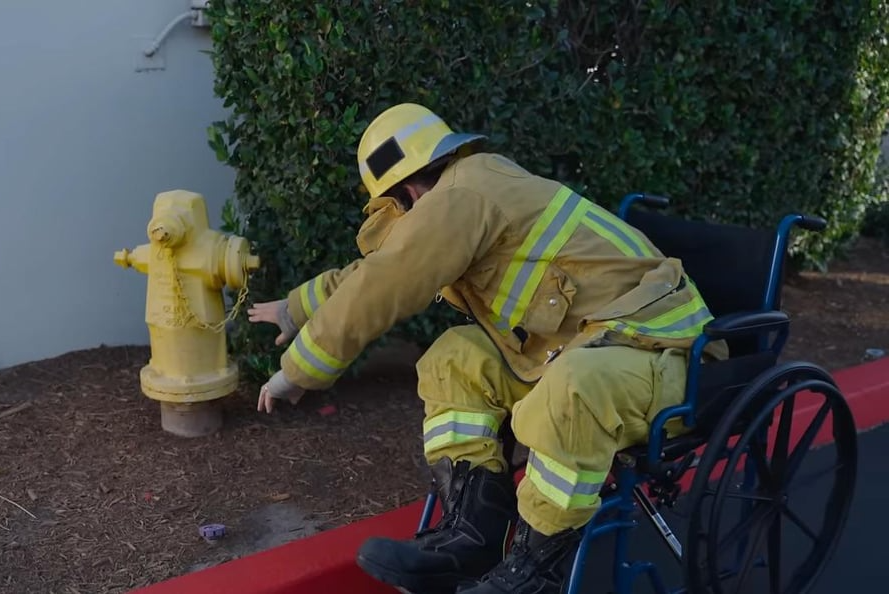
(538, 266)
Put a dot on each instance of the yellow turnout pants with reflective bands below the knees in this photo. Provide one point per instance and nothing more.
(590, 403)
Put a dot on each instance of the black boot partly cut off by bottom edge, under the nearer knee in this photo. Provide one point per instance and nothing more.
(536, 564)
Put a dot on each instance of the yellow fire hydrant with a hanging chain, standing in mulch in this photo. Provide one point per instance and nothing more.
(187, 265)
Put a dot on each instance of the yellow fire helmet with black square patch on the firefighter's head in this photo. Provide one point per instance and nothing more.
(401, 141)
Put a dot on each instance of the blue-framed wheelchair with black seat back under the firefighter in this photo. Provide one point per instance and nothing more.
(738, 415)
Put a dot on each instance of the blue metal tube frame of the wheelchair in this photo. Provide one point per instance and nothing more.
(622, 502)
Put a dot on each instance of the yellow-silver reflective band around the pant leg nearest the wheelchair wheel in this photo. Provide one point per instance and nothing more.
(569, 489)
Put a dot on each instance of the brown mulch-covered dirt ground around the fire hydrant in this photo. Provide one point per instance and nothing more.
(95, 497)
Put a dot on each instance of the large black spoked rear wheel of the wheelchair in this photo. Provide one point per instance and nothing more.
(756, 524)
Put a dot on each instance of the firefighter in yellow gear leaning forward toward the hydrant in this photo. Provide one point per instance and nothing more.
(580, 335)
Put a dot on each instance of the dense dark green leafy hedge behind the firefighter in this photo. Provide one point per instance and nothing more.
(739, 111)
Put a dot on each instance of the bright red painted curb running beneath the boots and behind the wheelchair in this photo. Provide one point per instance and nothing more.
(325, 563)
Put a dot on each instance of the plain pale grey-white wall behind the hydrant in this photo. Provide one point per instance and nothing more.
(86, 142)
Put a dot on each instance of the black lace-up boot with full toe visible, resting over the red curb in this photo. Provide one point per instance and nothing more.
(478, 509)
